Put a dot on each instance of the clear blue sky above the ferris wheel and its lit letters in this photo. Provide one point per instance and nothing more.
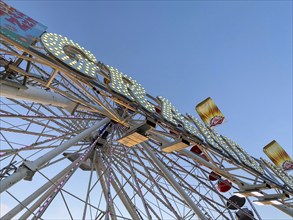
(239, 53)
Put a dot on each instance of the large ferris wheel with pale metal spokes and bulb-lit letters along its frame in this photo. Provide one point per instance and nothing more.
(77, 143)
